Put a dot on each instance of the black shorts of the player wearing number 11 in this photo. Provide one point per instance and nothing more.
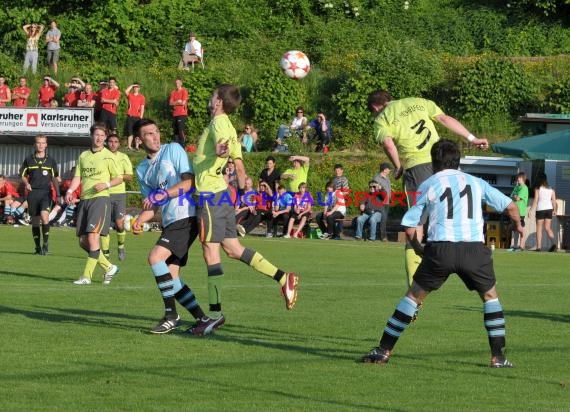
(470, 260)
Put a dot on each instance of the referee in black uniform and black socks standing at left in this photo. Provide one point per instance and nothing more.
(39, 174)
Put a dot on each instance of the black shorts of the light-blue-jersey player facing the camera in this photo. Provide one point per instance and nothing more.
(177, 238)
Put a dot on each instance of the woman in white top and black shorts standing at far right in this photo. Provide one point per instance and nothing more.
(544, 205)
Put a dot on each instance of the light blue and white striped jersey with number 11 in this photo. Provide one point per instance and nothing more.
(453, 200)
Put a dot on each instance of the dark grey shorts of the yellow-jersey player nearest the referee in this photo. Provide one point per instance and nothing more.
(93, 216)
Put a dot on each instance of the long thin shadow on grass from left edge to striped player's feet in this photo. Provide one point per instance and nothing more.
(83, 317)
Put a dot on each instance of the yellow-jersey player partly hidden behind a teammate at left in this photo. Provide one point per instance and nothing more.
(118, 198)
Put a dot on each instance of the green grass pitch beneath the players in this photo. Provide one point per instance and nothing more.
(86, 348)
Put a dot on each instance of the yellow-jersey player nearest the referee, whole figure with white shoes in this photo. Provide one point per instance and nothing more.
(97, 172)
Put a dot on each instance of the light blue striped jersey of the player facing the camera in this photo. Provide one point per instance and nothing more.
(162, 172)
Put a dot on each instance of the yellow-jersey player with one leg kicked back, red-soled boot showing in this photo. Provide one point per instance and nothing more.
(217, 220)
